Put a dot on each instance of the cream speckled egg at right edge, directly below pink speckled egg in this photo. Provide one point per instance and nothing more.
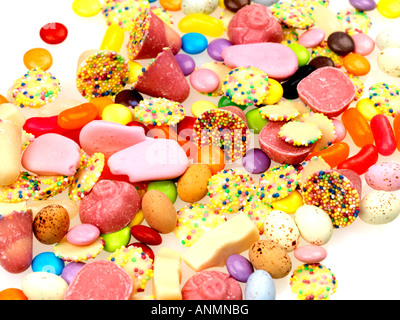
(379, 207)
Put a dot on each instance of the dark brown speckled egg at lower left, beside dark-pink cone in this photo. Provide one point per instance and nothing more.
(51, 224)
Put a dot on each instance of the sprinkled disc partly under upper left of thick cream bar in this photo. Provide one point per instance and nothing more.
(194, 220)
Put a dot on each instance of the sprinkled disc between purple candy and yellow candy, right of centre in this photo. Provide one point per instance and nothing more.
(277, 183)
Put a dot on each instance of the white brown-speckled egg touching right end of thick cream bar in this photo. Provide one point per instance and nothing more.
(280, 228)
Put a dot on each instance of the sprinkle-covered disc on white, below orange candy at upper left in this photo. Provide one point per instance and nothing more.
(34, 89)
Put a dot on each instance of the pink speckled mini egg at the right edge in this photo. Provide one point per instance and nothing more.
(383, 176)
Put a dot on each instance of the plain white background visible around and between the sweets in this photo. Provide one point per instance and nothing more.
(364, 258)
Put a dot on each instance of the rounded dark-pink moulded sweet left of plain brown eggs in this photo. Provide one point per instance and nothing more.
(110, 206)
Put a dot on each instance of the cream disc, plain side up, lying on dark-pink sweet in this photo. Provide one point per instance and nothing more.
(300, 133)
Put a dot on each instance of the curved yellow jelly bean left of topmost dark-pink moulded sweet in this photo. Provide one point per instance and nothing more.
(201, 23)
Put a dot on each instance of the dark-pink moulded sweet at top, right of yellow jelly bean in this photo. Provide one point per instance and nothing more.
(254, 24)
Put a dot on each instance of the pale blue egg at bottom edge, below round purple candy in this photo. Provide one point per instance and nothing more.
(260, 286)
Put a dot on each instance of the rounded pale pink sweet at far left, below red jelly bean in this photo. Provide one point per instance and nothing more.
(52, 154)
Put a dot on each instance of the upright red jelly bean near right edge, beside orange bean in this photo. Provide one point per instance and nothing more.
(383, 133)
